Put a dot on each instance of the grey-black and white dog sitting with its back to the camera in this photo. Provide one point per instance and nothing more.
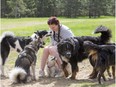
(26, 60)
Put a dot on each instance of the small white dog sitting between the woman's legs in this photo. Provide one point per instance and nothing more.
(52, 67)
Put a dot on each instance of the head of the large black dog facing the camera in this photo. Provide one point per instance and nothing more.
(67, 47)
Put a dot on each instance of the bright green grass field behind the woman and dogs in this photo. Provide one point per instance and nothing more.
(79, 26)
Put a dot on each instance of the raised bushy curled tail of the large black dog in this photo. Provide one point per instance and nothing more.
(105, 33)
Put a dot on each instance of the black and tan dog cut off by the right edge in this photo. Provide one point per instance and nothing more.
(101, 58)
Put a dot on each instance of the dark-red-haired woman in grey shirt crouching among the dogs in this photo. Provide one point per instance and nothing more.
(59, 32)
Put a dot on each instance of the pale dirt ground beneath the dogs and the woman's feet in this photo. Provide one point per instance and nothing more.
(81, 79)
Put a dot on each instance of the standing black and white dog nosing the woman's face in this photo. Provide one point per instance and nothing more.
(9, 40)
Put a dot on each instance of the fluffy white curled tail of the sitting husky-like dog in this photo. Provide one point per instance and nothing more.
(17, 75)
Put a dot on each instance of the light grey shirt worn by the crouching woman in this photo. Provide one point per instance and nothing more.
(65, 32)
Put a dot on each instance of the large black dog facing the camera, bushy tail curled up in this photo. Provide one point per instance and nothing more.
(71, 50)
